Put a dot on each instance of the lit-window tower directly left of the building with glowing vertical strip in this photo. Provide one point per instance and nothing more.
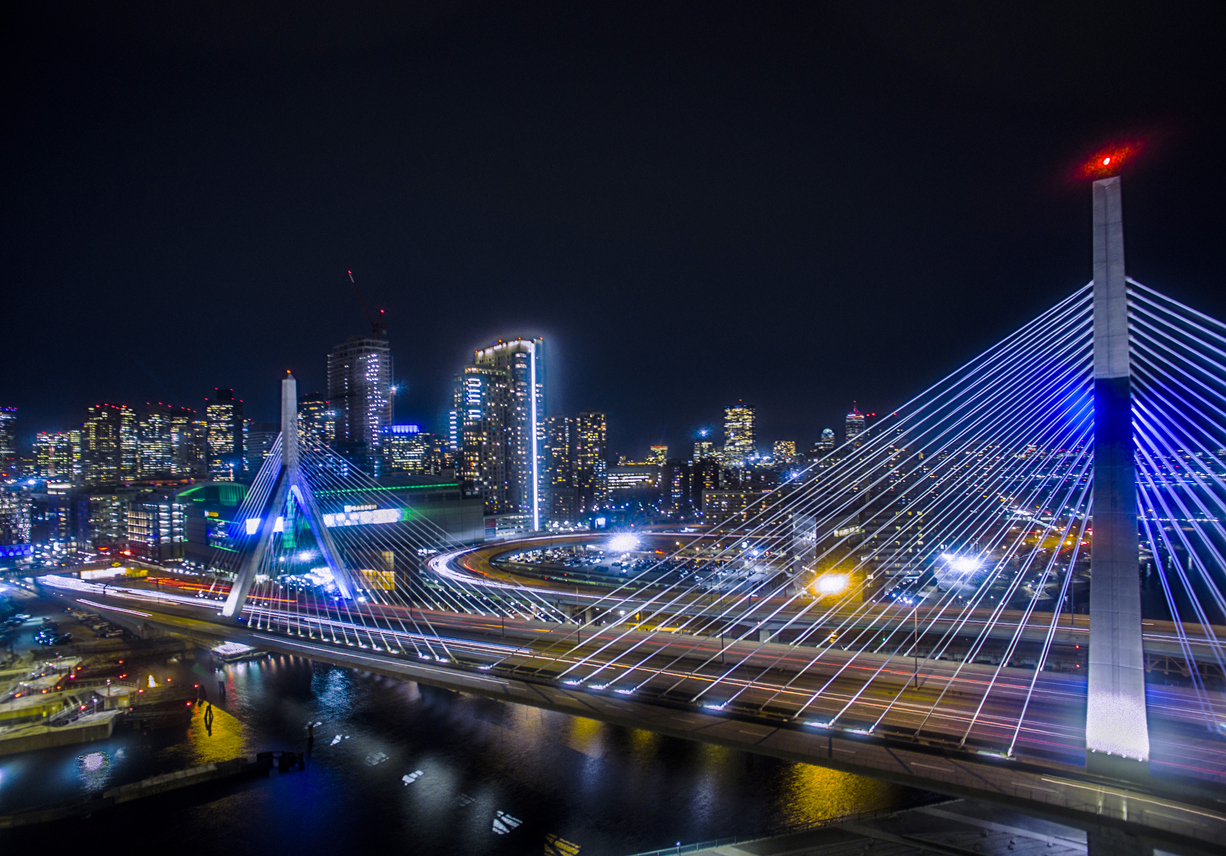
(482, 404)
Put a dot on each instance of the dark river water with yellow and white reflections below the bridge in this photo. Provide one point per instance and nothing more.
(493, 778)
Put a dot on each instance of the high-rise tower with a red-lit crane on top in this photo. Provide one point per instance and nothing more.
(360, 392)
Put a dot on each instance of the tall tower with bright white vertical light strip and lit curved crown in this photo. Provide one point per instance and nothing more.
(523, 361)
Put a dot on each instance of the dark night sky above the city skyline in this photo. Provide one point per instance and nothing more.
(798, 205)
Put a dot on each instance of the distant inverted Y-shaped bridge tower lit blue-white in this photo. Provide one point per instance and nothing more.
(289, 486)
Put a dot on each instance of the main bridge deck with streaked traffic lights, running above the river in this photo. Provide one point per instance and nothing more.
(1181, 806)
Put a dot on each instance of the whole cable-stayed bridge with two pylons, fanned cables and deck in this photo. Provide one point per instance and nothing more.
(902, 608)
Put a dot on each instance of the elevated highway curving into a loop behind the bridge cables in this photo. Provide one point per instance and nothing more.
(475, 567)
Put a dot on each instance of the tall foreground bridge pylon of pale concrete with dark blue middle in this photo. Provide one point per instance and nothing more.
(1116, 729)
